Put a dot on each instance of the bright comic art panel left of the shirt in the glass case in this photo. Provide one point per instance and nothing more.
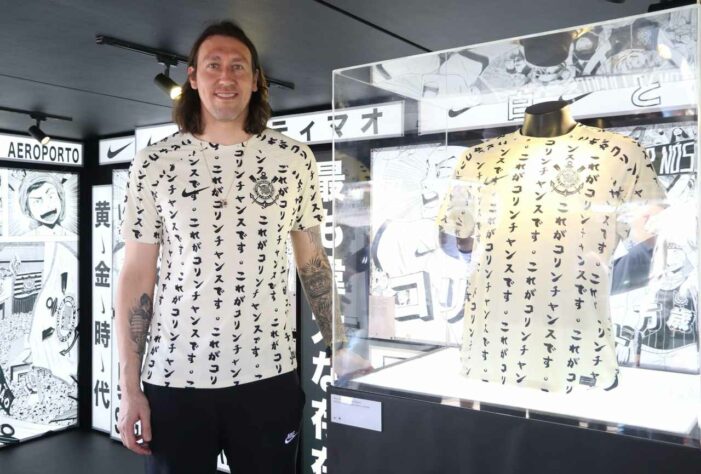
(417, 290)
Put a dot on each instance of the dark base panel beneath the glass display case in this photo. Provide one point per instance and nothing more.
(426, 436)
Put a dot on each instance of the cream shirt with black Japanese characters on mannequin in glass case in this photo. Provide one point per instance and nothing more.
(545, 216)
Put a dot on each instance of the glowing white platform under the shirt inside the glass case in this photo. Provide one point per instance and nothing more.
(439, 374)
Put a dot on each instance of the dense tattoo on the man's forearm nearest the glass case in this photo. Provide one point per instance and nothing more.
(317, 280)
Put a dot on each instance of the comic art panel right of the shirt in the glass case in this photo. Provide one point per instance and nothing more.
(655, 289)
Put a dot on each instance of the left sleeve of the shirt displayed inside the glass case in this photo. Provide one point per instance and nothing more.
(456, 214)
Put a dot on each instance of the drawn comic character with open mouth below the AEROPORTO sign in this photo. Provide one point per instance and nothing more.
(42, 199)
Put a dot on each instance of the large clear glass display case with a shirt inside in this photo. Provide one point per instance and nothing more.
(530, 244)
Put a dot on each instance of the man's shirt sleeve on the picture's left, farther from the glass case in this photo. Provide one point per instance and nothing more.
(141, 221)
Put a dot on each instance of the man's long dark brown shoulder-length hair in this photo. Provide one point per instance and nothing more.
(188, 109)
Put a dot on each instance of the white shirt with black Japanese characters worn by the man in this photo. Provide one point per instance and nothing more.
(221, 310)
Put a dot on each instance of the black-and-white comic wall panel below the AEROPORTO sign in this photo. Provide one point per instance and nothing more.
(38, 303)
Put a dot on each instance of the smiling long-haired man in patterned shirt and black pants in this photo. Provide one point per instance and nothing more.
(216, 202)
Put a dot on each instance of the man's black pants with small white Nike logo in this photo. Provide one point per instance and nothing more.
(256, 425)
